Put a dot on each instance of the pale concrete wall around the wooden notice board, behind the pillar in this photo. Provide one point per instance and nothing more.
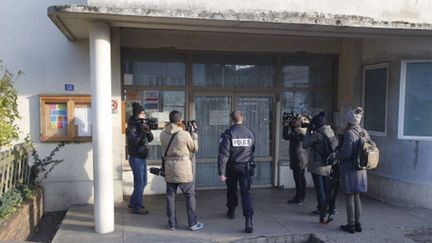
(32, 43)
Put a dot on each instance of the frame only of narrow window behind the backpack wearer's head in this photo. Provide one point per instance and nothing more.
(366, 68)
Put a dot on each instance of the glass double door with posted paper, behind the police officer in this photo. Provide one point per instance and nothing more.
(212, 116)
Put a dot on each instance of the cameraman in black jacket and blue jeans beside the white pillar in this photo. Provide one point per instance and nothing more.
(138, 136)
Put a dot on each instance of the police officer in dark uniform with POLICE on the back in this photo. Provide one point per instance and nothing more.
(235, 164)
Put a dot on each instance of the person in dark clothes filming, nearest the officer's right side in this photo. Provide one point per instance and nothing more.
(294, 131)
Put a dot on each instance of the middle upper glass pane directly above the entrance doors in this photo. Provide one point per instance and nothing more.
(233, 71)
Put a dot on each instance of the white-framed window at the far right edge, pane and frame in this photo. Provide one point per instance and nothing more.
(415, 101)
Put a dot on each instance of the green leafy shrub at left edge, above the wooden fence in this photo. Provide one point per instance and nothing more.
(8, 107)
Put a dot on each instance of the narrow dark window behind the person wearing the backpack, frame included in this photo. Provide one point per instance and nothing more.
(375, 98)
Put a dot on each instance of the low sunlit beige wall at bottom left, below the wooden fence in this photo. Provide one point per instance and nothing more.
(21, 224)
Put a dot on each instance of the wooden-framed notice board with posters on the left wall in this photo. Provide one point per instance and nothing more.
(65, 118)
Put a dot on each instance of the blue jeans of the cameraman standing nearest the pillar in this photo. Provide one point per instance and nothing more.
(139, 169)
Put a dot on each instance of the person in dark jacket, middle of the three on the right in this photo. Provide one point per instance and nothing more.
(321, 142)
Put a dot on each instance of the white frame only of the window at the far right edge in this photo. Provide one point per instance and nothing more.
(402, 94)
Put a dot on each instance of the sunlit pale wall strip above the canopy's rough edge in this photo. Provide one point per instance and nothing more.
(397, 10)
